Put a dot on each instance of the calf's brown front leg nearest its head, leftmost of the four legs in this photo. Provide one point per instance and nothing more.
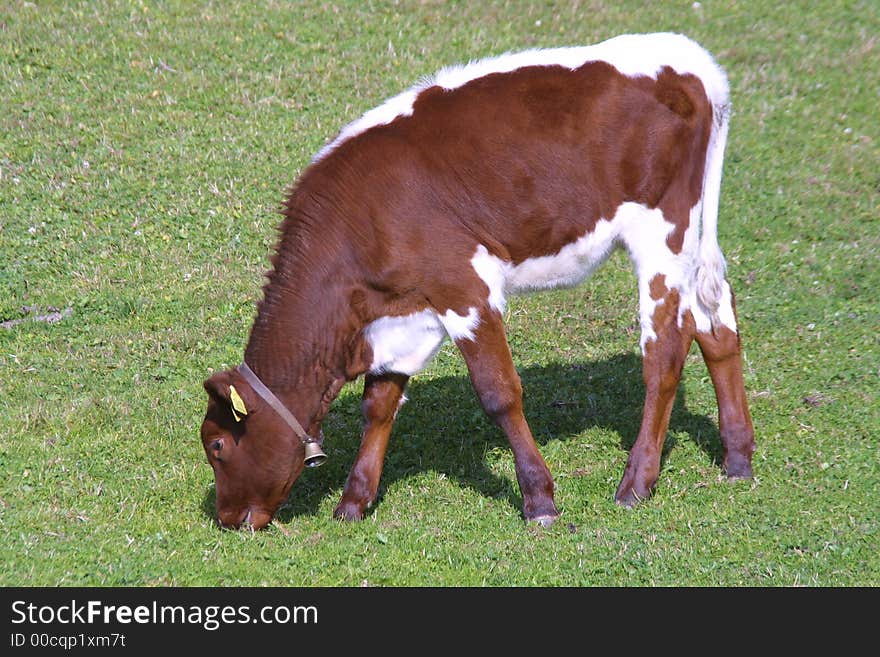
(382, 395)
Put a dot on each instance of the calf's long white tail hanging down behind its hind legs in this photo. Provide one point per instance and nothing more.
(711, 267)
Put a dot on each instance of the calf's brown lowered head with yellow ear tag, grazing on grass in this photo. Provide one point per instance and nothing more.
(255, 455)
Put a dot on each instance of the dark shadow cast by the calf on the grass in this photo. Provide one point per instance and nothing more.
(443, 429)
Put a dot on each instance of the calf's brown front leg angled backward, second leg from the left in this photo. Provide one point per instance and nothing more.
(500, 391)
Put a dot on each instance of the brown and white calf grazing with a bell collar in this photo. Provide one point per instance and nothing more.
(511, 174)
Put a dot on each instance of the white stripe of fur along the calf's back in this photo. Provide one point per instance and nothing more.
(631, 54)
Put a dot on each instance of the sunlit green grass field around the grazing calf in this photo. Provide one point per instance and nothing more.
(144, 149)
